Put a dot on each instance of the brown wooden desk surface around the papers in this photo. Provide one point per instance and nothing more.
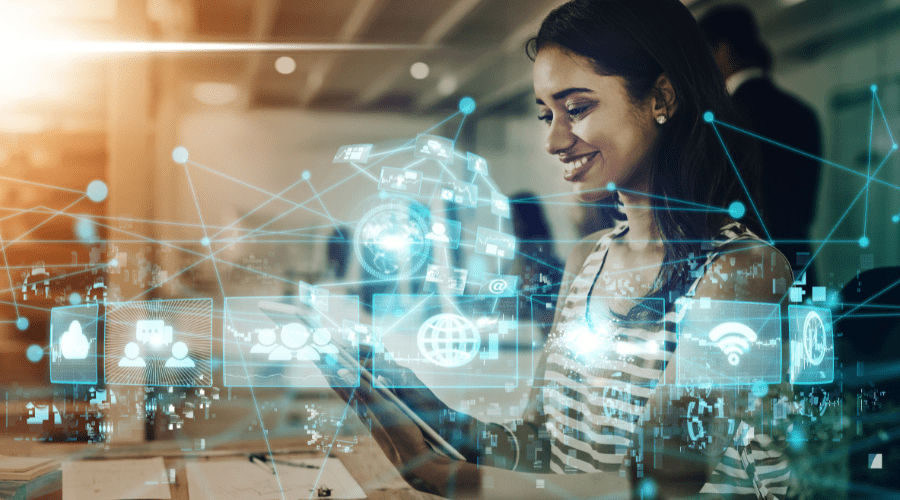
(368, 465)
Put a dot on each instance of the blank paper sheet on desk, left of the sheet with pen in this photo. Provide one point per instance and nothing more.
(115, 479)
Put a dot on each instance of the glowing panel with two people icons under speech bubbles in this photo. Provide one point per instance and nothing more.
(159, 342)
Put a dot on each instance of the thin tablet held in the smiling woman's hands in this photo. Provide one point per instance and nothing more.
(314, 319)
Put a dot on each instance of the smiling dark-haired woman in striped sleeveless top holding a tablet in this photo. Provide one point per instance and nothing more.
(623, 86)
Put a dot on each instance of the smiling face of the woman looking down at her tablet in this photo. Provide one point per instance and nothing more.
(599, 134)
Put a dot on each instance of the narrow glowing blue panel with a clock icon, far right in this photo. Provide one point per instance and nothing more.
(812, 345)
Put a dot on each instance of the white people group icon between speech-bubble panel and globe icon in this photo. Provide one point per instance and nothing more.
(295, 342)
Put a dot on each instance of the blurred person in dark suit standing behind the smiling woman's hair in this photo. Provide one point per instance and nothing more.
(788, 181)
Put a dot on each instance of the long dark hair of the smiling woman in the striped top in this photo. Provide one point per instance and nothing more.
(639, 40)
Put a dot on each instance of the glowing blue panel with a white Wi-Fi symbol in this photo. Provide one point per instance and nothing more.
(725, 343)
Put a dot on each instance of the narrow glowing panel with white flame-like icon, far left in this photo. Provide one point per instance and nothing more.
(73, 344)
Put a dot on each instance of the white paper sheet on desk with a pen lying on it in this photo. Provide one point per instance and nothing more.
(243, 480)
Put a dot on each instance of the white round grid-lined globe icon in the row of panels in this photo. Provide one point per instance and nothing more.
(449, 340)
